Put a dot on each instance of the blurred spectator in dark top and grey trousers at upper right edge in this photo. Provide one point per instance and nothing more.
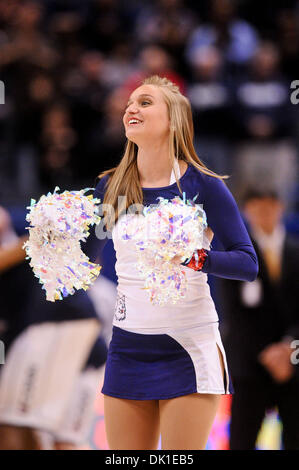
(264, 120)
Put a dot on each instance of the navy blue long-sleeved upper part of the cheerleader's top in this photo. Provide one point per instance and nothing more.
(238, 260)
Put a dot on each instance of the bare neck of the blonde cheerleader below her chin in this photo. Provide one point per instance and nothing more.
(154, 165)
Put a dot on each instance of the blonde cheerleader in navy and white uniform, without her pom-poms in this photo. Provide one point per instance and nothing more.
(166, 368)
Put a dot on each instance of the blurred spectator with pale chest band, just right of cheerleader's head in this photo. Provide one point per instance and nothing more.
(211, 97)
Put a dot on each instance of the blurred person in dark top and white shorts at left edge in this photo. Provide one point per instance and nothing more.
(54, 356)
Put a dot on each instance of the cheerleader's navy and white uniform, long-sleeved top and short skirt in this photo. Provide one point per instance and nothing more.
(160, 352)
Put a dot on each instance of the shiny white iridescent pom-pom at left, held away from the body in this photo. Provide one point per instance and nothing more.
(59, 222)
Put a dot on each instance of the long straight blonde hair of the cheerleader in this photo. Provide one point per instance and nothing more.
(124, 178)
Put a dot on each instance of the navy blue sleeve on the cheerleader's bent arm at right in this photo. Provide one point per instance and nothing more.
(239, 260)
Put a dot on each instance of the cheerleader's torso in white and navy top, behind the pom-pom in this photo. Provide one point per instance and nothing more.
(134, 309)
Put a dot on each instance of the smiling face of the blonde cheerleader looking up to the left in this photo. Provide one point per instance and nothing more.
(146, 117)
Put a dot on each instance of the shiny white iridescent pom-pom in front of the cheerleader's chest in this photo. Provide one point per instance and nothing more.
(169, 228)
